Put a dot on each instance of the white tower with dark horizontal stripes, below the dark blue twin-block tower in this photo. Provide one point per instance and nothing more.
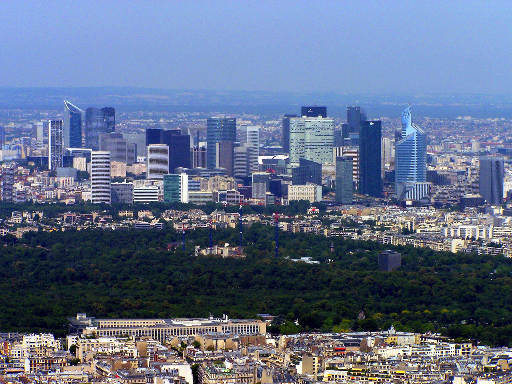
(100, 177)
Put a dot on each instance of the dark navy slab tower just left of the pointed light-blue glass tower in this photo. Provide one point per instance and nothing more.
(370, 159)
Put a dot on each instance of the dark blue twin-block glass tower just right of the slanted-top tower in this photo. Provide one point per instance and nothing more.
(97, 122)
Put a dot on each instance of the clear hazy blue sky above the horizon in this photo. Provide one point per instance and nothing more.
(343, 46)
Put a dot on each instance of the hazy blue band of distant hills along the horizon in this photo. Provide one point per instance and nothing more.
(272, 104)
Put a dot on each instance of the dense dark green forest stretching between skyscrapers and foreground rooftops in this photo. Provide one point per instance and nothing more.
(48, 276)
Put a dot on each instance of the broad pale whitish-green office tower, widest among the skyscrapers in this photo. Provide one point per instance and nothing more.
(311, 138)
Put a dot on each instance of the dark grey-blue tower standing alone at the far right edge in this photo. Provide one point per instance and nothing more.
(491, 179)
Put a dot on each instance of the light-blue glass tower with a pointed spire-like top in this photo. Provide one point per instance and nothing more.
(410, 158)
